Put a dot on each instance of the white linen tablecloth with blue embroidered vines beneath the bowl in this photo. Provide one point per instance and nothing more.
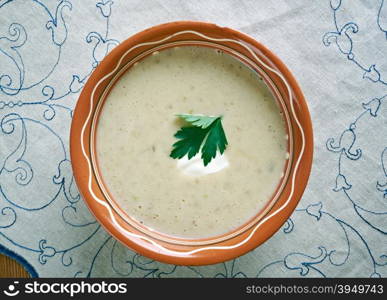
(336, 50)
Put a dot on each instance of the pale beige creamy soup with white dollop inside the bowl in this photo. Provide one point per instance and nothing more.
(136, 131)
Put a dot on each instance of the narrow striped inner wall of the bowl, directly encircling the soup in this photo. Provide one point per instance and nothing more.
(160, 235)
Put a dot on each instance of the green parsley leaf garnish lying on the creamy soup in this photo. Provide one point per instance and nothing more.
(206, 133)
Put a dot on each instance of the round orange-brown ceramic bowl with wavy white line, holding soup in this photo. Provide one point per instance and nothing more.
(157, 245)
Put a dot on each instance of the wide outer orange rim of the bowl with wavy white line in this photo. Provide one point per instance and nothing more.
(83, 158)
